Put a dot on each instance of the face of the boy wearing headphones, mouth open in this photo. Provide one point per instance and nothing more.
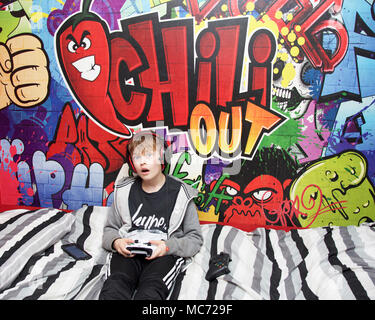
(146, 162)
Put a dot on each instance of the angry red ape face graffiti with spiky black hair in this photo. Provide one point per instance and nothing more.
(257, 196)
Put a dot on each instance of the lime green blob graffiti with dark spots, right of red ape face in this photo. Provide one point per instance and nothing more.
(334, 191)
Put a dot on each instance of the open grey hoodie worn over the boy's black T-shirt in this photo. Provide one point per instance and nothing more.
(184, 233)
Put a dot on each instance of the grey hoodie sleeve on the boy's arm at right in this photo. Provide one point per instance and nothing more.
(188, 239)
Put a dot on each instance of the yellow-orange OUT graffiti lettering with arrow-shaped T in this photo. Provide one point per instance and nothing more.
(227, 135)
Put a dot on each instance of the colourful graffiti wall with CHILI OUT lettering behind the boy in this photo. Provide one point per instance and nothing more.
(267, 105)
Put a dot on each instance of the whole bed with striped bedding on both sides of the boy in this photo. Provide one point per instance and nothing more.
(266, 264)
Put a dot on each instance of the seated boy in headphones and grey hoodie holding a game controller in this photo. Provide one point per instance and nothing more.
(152, 202)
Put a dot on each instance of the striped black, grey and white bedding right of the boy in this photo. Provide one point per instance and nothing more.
(319, 263)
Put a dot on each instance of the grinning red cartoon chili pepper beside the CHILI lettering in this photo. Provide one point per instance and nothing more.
(84, 56)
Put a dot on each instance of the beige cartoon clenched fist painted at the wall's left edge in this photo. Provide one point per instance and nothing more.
(24, 73)
